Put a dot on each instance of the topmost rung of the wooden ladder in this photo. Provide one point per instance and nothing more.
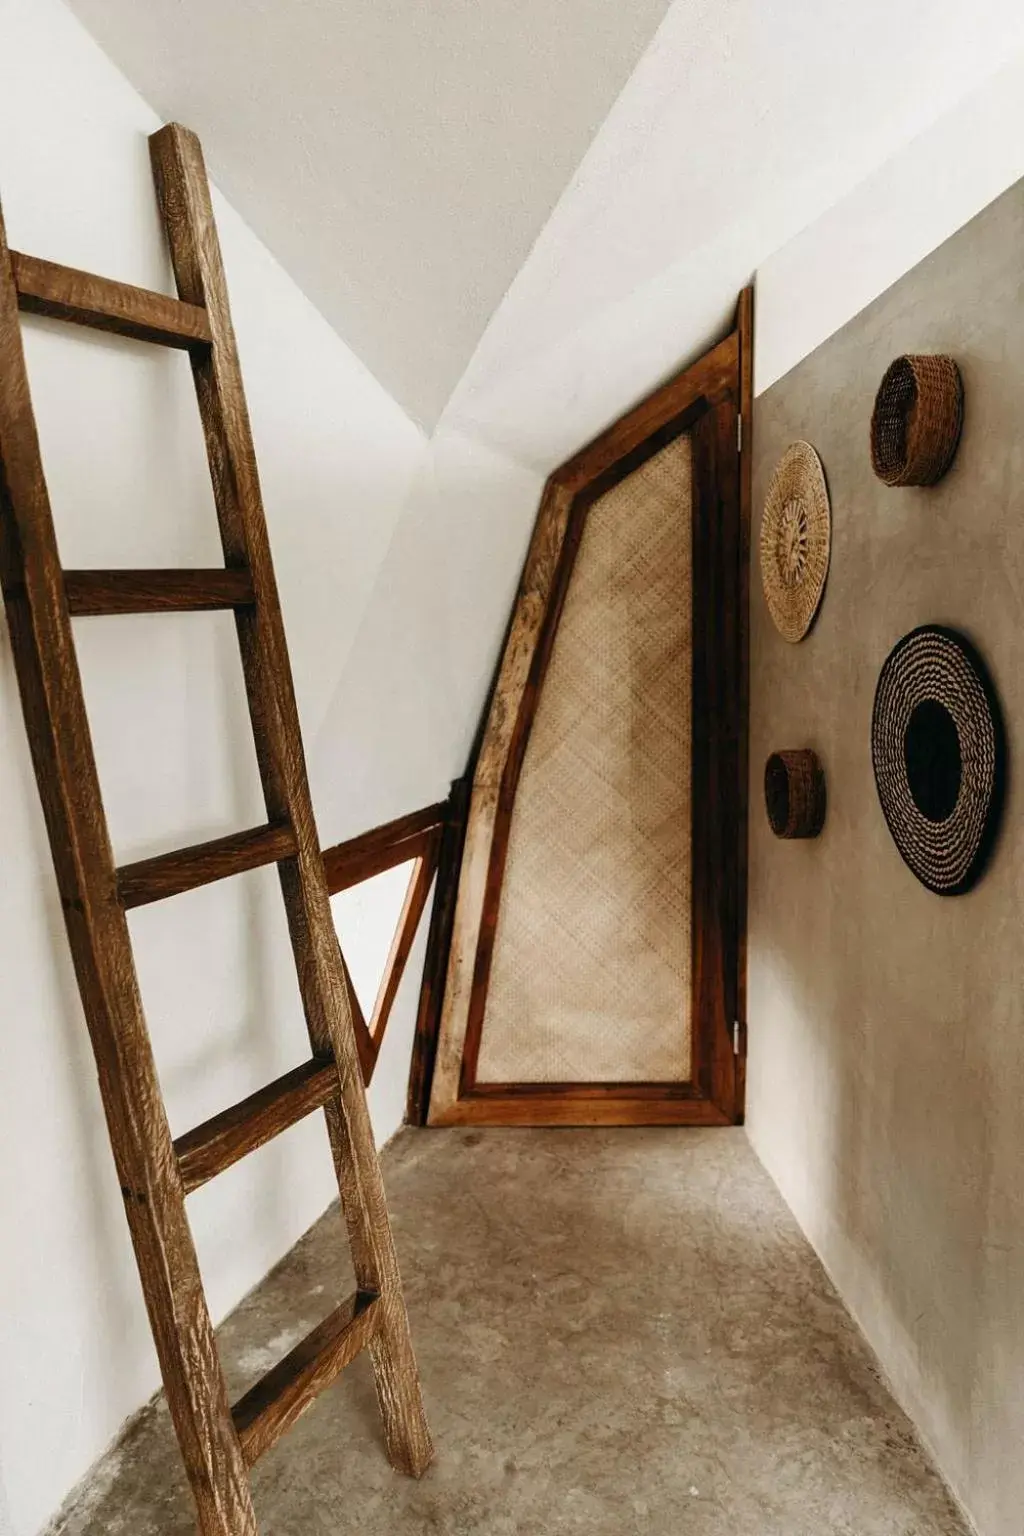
(87, 300)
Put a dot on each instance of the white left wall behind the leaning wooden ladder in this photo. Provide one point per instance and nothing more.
(128, 478)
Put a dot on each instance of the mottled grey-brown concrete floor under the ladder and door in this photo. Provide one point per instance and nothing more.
(619, 1331)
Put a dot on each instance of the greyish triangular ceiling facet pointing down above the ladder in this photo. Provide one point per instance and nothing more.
(397, 156)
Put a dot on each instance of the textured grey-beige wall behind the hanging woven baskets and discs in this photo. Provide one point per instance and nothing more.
(887, 1074)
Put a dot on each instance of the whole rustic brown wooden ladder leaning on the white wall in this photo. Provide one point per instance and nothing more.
(219, 1443)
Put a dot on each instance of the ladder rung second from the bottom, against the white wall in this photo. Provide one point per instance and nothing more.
(231, 1136)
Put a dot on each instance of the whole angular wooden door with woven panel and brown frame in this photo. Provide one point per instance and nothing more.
(596, 965)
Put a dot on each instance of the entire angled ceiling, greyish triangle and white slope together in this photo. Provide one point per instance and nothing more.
(529, 211)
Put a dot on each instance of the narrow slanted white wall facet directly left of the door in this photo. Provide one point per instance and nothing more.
(412, 689)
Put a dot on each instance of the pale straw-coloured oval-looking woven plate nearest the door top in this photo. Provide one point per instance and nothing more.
(796, 541)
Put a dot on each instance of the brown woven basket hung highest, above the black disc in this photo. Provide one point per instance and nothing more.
(917, 420)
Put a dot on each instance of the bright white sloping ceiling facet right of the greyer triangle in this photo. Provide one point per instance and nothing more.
(742, 125)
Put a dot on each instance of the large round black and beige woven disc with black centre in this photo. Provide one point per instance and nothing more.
(939, 755)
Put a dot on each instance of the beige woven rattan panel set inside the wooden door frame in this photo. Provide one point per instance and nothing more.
(592, 965)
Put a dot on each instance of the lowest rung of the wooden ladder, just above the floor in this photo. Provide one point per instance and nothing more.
(291, 1386)
